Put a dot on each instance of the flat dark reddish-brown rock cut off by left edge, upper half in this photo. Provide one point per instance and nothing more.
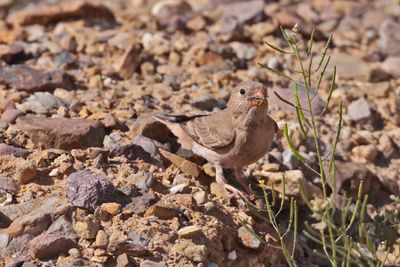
(25, 78)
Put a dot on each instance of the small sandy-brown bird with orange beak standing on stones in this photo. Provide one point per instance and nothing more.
(234, 137)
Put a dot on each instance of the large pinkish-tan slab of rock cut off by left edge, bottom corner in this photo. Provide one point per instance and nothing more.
(27, 220)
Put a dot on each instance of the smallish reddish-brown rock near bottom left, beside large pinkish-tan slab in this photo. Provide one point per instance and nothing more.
(49, 245)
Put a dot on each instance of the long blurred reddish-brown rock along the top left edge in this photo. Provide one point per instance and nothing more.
(77, 9)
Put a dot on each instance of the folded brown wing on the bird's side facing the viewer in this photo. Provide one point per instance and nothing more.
(212, 131)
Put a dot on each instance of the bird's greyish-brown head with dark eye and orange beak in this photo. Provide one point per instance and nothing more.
(249, 96)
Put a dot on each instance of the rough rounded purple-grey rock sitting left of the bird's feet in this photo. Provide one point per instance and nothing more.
(88, 190)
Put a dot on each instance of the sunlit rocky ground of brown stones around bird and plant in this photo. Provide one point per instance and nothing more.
(88, 178)
